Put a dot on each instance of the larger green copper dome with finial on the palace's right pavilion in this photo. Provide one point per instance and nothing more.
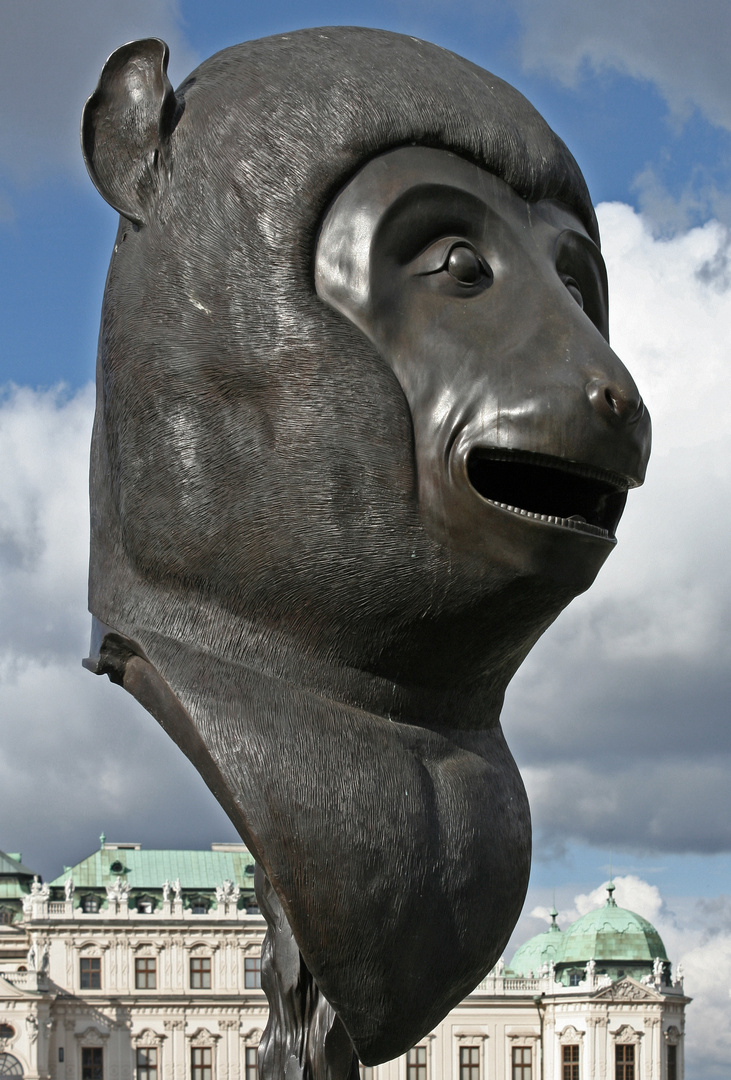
(612, 934)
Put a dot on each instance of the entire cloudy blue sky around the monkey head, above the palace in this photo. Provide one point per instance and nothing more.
(620, 718)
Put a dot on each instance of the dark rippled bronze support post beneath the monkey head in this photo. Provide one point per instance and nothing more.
(304, 1039)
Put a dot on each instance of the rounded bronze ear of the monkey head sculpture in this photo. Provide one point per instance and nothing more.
(126, 128)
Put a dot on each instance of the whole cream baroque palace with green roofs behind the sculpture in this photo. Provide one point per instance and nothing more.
(142, 965)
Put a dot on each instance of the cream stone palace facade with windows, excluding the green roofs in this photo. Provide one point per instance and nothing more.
(119, 995)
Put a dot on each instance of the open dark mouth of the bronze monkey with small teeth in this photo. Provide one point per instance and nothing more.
(549, 490)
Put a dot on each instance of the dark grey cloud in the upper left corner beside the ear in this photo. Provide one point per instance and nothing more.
(51, 56)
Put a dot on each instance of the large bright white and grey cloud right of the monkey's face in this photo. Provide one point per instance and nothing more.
(620, 715)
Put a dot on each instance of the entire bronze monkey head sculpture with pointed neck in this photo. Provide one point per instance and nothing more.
(360, 438)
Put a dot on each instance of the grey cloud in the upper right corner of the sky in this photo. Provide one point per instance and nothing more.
(680, 47)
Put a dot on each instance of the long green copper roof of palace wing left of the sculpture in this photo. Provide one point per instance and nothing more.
(148, 870)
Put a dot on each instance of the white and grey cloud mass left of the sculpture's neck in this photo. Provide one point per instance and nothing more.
(84, 757)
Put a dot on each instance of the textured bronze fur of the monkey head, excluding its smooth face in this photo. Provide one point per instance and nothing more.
(255, 521)
